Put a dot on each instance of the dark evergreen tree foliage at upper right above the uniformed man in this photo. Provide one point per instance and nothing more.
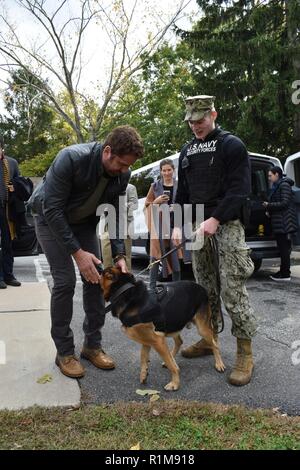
(243, 56)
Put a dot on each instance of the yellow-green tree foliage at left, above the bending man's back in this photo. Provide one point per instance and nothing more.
(33, 133)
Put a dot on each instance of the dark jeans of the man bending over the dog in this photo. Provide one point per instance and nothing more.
(63, 273)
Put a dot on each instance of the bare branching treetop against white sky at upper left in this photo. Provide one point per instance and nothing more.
(56, 57)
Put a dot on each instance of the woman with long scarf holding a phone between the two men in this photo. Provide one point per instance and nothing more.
(160, 197)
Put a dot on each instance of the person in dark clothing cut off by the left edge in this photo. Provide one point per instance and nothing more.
(8, 170)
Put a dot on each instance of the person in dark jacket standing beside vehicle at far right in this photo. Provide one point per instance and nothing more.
(281, 209)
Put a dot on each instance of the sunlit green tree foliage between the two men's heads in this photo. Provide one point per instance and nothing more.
(154, 103)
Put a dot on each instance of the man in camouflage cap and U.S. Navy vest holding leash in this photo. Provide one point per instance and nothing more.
(214, 172)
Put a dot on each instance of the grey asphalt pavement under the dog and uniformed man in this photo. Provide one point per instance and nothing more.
(276, 380)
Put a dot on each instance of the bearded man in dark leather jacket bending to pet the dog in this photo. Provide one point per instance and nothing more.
(80, 178)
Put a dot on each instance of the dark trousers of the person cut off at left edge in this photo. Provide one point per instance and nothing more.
(7, 259)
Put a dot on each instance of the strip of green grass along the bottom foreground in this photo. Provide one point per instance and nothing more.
(179, 425)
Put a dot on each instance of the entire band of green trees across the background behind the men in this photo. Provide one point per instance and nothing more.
(244, 52)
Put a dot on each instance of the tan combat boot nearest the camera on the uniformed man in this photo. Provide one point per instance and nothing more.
(242, 371)
